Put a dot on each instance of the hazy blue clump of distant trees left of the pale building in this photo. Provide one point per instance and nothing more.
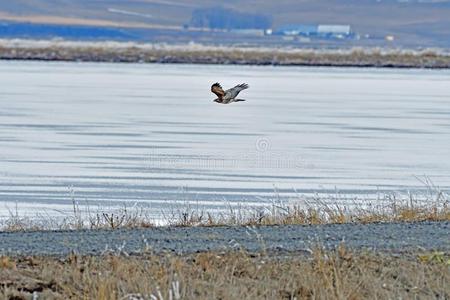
(222, 18)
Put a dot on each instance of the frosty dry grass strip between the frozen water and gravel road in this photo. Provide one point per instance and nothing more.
(309, 211)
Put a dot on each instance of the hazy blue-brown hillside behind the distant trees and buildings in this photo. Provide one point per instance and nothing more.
(412, 22)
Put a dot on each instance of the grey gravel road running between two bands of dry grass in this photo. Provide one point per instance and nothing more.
(397, 237)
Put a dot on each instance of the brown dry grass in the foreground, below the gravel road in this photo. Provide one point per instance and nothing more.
(339, 274)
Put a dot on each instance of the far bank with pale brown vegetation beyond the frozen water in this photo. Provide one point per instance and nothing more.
(199, 54)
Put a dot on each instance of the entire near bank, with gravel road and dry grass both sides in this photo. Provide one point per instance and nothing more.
(370, 256)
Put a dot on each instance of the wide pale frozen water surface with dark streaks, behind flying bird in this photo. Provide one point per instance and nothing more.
(109, 134)
